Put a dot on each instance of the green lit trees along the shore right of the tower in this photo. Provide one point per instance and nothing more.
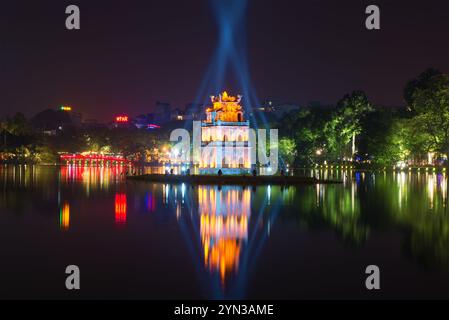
(381, 135)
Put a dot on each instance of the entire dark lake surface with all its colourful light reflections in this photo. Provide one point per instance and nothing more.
(160, 241)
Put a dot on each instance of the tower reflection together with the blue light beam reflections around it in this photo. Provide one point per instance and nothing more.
(215, 223)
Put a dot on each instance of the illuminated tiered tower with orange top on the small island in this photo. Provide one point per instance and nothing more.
(225, 137)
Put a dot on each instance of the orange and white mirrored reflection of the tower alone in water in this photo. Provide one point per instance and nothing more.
(224, 216)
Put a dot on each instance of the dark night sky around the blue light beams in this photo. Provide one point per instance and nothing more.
(129, 54)
